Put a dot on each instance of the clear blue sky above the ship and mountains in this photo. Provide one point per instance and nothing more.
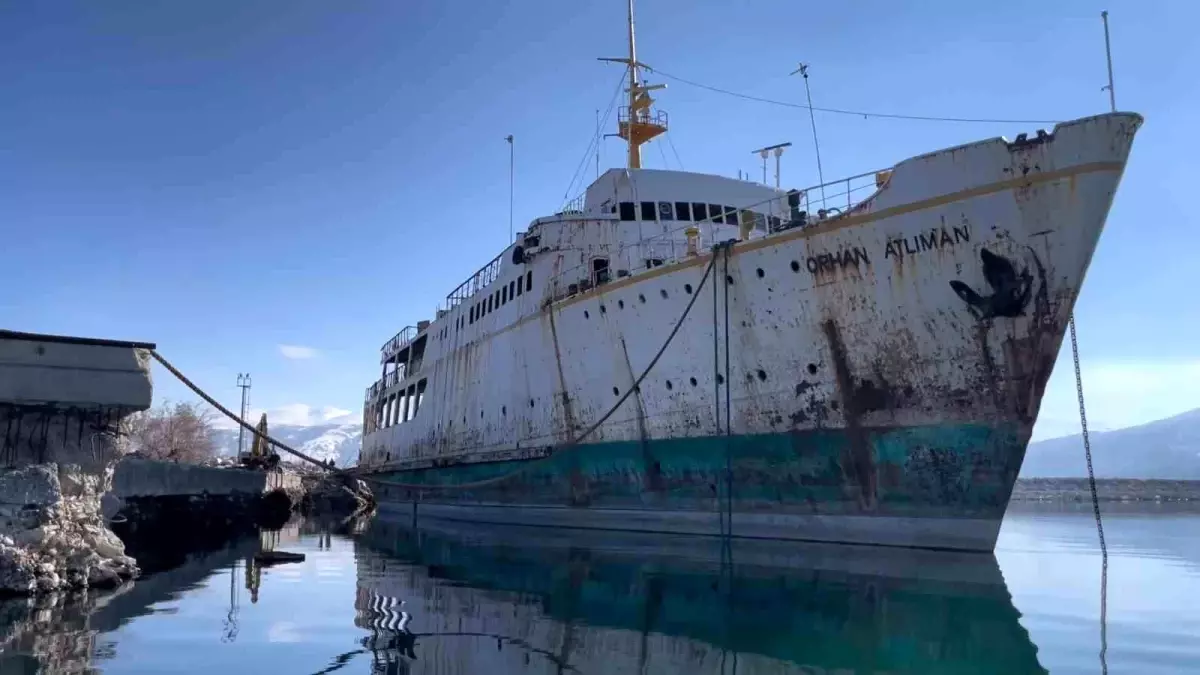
(231, 180)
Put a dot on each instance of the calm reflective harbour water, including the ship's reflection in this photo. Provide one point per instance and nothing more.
(389, 600)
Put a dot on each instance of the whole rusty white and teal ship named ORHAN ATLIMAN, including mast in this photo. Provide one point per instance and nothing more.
(861, 362)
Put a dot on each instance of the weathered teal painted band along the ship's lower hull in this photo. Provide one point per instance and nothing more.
(946, 471)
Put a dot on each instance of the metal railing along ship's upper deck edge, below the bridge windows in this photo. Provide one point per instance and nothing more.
(801, 208)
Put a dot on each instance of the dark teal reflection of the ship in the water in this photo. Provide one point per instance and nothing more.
(453, 600)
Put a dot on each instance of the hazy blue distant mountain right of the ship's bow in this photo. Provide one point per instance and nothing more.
(1167, 449)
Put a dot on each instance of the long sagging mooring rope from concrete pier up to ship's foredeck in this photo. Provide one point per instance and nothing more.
(475, 485)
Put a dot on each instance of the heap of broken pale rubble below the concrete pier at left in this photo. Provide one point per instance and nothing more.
(52, 534)
